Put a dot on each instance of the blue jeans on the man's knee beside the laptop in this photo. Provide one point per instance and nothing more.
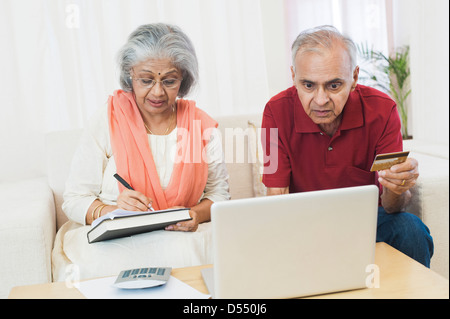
(406, 233)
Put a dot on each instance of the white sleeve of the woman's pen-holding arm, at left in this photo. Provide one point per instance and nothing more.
(84, 184)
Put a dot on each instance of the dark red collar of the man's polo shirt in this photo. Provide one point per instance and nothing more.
(352, 116)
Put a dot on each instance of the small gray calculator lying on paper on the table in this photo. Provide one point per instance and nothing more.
(138, 278)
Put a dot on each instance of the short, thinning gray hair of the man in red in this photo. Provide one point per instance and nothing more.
(323, 37)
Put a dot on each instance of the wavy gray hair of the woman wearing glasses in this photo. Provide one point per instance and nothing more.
(159, 41)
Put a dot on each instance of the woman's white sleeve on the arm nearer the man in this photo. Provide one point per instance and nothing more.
(216, 188)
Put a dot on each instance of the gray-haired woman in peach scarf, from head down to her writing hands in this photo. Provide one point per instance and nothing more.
(152, 138)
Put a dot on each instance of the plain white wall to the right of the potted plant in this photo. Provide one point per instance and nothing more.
(425, 26)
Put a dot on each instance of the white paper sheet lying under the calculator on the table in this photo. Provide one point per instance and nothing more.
(174, 289)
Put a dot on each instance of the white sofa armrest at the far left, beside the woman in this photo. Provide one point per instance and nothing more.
(27, 232)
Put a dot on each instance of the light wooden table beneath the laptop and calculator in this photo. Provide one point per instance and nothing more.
(400, 277)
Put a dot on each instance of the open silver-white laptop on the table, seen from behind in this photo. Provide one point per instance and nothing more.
(293, 245)
